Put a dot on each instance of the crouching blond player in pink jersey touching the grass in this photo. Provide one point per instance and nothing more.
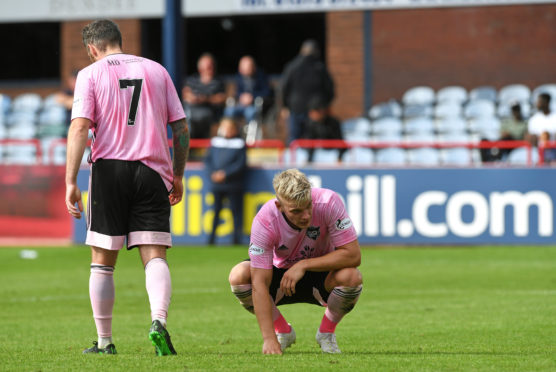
(303, 248)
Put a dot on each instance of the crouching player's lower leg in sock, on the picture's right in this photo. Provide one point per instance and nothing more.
(340, 302)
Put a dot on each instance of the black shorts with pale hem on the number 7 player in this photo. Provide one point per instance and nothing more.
(129, 200)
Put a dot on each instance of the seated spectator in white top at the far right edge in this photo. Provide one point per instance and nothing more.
(542, 126)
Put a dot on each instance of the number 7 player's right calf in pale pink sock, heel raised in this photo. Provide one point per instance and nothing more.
(159, 288)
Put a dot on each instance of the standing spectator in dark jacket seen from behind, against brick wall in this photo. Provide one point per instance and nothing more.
(303, 78)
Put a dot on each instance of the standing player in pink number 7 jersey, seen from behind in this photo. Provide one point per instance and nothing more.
(127, 102)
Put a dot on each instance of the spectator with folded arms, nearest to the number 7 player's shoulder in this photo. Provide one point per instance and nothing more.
(204, 95)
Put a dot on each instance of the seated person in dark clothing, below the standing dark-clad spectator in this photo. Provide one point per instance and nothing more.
(322, 125)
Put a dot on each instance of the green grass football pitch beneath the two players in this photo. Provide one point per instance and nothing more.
(422, 309)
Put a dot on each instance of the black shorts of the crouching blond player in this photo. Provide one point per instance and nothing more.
(310, 289)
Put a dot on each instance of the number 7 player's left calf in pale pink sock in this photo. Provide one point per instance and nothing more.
(102, 293)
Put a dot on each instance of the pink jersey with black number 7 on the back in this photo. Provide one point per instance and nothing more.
(129, 100)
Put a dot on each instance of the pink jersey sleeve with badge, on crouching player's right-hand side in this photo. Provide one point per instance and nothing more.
(339, 223)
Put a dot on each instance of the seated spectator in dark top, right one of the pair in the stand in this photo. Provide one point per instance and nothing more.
(251, 82)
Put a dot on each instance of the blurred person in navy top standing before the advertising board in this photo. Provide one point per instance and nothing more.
(226, 164)
